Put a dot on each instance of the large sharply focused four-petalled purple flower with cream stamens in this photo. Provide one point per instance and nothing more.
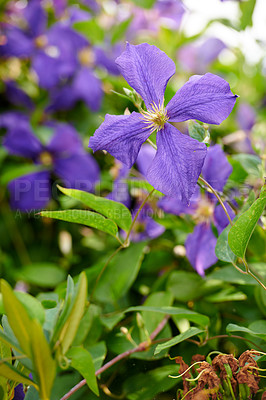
(179, 159)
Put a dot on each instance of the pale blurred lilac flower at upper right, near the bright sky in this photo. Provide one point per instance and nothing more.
(195, 59)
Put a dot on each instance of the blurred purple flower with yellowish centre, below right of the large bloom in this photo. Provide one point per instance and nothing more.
(200, 245)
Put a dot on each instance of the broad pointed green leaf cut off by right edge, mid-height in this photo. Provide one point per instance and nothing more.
(243, 228)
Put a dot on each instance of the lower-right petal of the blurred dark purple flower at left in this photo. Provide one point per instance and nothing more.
(79, 171)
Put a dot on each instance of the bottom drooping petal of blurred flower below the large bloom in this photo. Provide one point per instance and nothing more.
(200, 248)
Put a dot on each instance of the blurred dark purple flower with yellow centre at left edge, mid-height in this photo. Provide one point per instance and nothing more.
(63, 157)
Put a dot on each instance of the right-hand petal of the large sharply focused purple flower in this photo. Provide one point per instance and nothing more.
(207, 98)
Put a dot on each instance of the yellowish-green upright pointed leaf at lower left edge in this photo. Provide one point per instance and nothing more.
(18, 318)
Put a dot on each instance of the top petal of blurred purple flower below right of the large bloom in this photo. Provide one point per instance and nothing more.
(216, 168)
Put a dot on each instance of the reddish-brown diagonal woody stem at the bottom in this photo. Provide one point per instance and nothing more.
(141, 347)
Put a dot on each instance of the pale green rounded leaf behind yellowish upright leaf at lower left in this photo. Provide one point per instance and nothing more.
(32, 305)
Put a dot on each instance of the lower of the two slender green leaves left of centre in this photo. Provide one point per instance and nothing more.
(84, 217)
